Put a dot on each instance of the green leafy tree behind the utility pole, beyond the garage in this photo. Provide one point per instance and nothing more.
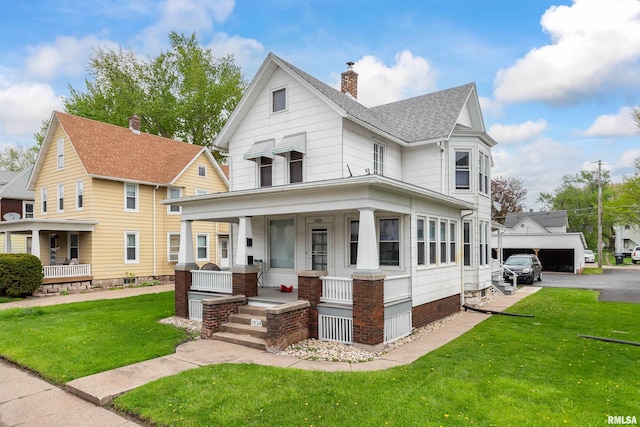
(578, 195)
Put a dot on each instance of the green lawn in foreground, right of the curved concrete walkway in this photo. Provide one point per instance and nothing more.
(507, 371)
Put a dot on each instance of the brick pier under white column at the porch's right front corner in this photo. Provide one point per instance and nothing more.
(368, 309)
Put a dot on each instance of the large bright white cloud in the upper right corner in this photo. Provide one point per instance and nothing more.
(595, 46)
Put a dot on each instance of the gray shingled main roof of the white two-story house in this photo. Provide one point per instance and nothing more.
(437, 112)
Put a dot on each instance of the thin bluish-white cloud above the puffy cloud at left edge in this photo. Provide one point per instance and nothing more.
(66, 56)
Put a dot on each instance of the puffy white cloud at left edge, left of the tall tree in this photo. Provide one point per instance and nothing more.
(23, 106)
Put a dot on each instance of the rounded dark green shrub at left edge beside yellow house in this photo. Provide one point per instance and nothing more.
(20, 274)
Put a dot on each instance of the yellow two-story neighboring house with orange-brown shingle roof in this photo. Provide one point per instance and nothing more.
(98, 215)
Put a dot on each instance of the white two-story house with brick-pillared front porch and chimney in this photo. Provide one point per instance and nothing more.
(391, 201)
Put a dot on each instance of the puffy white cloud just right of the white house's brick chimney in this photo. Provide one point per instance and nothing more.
(378, 84)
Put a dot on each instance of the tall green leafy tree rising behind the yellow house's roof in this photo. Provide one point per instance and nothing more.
(184, 93)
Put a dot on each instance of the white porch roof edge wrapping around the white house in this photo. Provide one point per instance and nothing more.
(369, 191)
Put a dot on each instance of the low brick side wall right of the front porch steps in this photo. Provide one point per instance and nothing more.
(287, 324)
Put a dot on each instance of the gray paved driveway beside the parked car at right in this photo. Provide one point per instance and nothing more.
(617, 284)
